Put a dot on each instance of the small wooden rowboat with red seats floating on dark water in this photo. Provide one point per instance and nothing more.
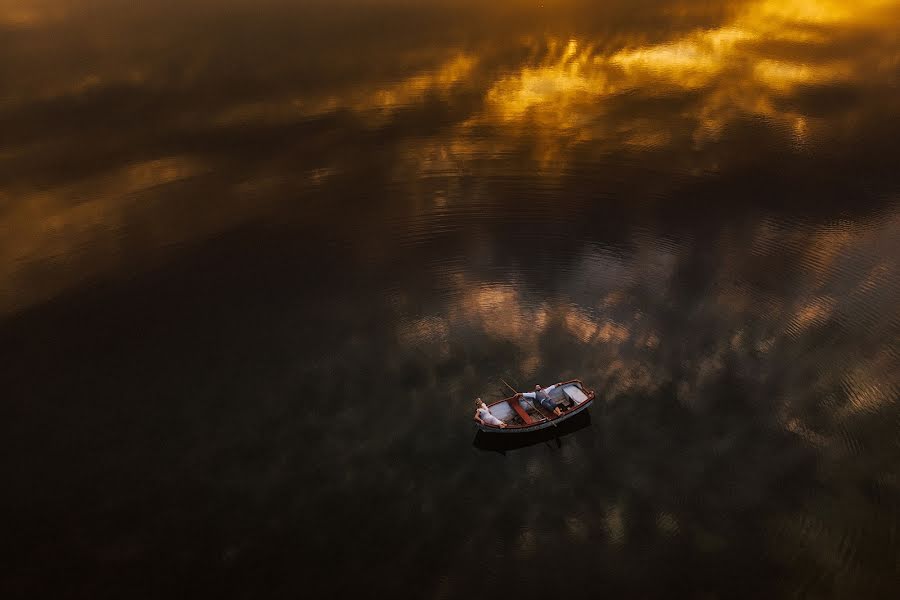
(521, 415)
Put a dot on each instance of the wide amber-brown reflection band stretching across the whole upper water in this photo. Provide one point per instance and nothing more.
(561, 95)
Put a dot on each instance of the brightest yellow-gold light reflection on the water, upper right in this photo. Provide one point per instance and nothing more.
(733, 67)
